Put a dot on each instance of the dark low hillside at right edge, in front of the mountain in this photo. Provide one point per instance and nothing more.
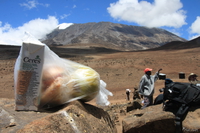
(181, 45)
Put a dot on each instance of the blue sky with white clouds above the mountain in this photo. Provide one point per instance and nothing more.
(39, 17)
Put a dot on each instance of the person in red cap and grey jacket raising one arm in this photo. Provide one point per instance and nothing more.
(146, 86)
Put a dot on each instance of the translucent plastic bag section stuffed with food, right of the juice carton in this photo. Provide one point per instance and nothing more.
(64, 81)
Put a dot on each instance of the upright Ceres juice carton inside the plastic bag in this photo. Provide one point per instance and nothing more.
(27, 76)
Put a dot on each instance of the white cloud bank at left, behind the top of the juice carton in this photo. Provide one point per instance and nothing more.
(37, 27)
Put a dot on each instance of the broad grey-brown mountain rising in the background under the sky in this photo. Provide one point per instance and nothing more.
(111, 35)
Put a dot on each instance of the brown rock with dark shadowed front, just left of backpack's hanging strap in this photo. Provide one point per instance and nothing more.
(149, 120)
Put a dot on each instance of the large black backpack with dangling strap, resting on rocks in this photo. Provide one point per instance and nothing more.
(177, 98)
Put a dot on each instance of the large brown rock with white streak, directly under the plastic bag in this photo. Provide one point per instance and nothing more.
(75, 118)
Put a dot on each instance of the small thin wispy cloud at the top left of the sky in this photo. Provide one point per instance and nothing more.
(33, 4)
